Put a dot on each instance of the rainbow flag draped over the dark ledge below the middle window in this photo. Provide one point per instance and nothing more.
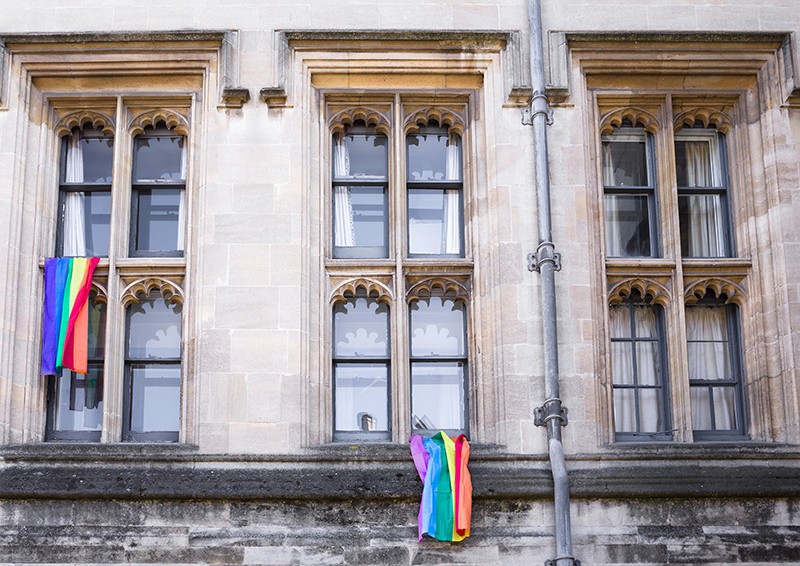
(445, 511)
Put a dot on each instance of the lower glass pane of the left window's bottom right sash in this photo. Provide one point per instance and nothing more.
(155, 398)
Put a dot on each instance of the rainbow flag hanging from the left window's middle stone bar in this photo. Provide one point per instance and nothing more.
(65, 326)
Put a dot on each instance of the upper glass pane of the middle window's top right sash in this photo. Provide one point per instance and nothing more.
(433, 157)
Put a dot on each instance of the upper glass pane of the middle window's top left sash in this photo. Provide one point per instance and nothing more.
(363, 157)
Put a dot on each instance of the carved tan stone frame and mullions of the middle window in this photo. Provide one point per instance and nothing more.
(399, 276)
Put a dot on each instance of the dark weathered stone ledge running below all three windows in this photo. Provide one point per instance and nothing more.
(380, 472)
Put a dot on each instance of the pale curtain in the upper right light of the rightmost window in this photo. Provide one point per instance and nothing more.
(706, 237)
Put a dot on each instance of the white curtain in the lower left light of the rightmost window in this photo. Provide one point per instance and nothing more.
(647, 370)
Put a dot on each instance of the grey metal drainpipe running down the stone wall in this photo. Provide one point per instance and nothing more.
(546, 261)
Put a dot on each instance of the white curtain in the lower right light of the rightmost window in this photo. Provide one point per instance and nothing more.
(706, 334)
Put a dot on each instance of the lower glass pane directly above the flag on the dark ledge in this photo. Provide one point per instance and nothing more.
(437, 395)
